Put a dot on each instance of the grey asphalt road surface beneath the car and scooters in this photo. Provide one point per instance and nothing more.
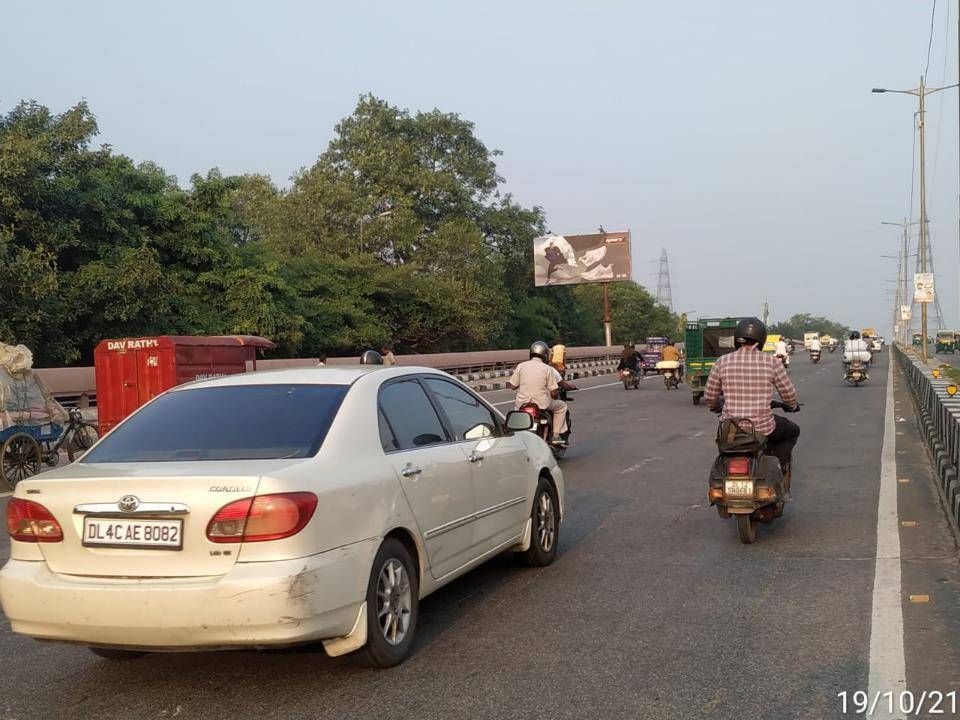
(653, 609)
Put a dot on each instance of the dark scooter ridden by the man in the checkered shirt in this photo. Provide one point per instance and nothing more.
(746, 482)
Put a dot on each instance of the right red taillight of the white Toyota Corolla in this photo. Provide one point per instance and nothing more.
(262, 517)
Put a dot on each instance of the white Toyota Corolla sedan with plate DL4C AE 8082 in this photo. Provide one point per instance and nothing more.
(278, 508)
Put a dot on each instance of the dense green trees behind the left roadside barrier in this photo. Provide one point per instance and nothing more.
(398, 233)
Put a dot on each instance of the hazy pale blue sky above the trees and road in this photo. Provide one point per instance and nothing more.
(740, 136)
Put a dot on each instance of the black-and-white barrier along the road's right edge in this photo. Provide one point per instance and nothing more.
(939, 418)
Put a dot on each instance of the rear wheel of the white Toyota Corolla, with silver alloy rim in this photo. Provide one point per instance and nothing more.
(393, 592)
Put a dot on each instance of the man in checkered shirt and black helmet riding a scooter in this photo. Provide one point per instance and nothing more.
(745, 381)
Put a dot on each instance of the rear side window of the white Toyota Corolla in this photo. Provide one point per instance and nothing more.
(409, 416)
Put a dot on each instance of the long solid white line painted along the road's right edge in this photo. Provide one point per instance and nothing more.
(887, 664)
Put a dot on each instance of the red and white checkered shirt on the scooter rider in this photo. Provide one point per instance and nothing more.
(746, 379)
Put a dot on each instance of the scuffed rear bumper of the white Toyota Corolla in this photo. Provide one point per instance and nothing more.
(255, 604)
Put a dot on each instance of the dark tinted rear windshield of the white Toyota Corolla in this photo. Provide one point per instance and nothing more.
(240, 422)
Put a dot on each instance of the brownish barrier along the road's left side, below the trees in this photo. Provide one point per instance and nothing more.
(76, 386)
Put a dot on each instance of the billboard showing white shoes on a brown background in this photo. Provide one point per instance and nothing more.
(576, 259)
